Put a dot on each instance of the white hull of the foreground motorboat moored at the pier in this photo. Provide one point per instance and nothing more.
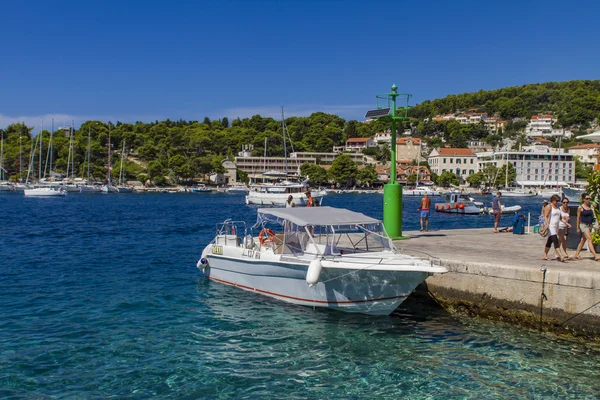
(350, 290)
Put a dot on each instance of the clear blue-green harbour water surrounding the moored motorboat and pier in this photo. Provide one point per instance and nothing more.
(100, 297)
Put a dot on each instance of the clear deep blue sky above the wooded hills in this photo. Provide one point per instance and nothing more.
(145, 60)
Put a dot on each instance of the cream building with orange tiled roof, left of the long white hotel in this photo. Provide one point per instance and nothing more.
(460, 161)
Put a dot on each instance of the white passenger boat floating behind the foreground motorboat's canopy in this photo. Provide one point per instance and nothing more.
(278, 193)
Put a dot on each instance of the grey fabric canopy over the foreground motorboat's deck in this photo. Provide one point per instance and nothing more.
(303, 216)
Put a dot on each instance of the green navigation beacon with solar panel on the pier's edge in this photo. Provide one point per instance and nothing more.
(392, 191)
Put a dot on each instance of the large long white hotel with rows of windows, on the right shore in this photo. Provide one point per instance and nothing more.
(534, 168)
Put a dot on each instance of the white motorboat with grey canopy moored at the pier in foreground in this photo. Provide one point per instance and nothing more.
(321, 257)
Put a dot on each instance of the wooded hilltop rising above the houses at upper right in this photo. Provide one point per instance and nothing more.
(575, 103)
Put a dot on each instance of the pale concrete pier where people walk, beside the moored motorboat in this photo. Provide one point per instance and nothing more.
(498, 275)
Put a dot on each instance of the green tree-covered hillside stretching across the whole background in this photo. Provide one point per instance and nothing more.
(180, 151)
